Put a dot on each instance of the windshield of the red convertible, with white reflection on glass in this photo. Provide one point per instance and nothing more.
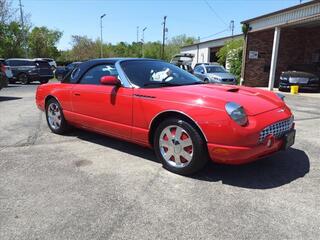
(150, 73)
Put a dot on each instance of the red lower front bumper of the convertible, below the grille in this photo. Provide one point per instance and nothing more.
(240, 155)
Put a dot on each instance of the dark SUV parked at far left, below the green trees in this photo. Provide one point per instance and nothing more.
(26, 70)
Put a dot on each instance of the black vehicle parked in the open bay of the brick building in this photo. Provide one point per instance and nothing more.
(306, 76)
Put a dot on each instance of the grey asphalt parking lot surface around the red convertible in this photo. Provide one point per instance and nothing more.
(87, 186)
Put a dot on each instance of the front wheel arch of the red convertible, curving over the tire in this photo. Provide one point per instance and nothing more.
(173, 114)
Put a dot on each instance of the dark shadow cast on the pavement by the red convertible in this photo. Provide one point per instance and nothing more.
(270, 172)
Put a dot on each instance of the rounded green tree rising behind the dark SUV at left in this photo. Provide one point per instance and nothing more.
(42, 42)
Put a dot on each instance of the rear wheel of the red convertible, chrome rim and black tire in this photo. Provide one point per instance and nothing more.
(55, 117)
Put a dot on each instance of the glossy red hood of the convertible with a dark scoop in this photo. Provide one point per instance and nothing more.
(254, 101)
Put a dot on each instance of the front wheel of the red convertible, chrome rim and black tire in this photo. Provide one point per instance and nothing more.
(180, 147)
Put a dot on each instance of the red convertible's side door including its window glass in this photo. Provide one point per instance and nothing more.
(103, 108)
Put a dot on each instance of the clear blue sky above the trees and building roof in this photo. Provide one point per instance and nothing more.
(191, 17)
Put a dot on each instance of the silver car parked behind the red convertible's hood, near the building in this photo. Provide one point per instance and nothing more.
(214, 73)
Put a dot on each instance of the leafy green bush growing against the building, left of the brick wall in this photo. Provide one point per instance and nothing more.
(231, 53)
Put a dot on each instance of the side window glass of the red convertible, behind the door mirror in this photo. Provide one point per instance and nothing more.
(94, 74)
